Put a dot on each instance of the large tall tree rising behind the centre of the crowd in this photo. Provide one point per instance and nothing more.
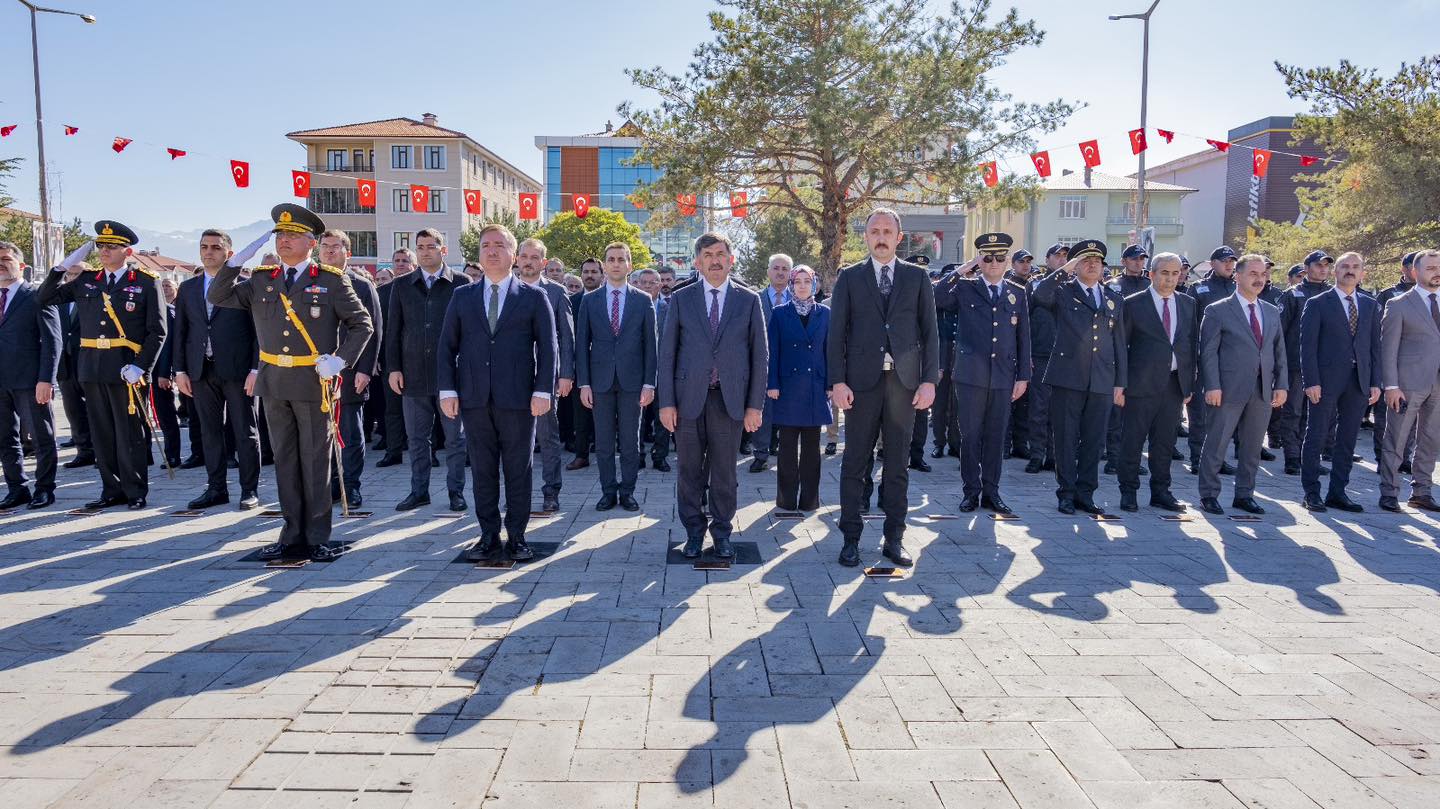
(829, 109)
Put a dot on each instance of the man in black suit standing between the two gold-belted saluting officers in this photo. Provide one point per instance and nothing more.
(217, 362)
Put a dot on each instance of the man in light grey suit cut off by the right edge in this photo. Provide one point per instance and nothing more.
(1410, 375)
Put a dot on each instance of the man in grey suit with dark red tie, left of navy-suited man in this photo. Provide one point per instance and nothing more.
(1243, 374)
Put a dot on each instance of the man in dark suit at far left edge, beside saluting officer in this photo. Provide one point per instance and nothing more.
(31, 336)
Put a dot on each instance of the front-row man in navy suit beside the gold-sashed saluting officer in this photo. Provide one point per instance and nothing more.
(498, 374)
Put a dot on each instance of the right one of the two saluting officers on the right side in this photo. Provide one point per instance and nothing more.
(1086, 372)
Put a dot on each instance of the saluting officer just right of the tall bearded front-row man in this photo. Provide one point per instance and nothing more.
(991, 368)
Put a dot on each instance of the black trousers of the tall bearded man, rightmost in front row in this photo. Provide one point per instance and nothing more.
(885, 411)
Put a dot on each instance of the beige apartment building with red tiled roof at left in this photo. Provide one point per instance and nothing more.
(400, 153)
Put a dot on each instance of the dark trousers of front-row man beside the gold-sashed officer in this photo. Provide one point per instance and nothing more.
(500, 443)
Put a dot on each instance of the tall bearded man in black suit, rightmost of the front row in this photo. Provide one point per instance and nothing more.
(883, 355)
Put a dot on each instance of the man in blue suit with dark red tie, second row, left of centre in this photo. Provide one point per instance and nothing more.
(616, 369)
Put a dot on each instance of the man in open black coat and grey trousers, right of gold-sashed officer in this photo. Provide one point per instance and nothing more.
(418, 306)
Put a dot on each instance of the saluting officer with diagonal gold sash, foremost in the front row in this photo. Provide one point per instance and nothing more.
(299, 310)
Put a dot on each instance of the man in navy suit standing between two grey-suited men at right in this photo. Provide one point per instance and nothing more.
(1340, 369)
